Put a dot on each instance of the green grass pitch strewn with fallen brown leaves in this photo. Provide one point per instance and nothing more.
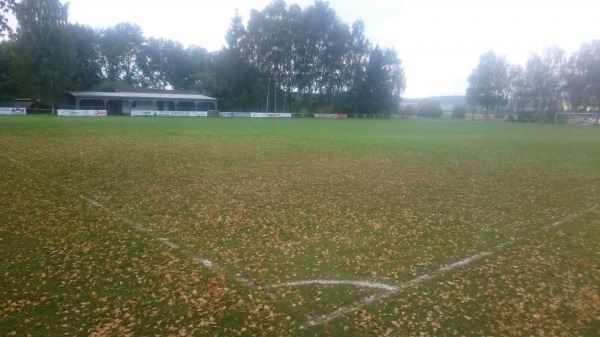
(276, 201)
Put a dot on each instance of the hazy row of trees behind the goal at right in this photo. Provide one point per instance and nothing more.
(547, 83)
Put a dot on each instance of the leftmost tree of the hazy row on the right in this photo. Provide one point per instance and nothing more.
(488, 83)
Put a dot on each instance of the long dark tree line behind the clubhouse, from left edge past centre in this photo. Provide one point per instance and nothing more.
(285, 59)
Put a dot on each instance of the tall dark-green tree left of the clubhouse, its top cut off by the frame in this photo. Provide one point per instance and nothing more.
(45, 58)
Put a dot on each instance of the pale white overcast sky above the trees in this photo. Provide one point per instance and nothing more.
(438, 41)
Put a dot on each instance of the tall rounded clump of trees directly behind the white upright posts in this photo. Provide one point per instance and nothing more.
(312, 55)
